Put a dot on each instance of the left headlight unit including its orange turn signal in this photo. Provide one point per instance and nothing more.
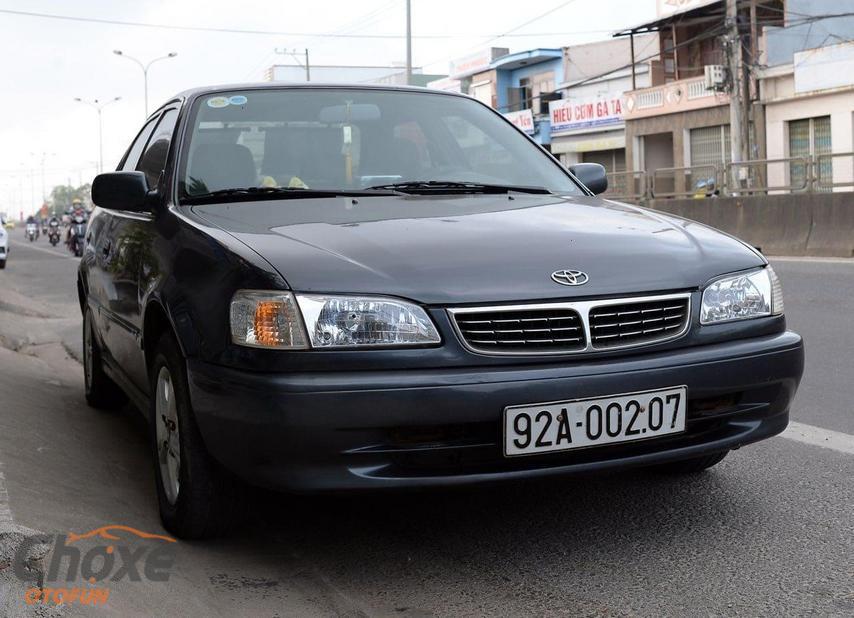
(281, 320)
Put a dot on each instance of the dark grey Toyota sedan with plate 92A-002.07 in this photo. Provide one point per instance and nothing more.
(325, 288)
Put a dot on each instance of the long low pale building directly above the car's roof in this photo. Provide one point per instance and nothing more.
(394, 74)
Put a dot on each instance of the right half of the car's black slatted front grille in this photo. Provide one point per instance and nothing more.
(634, 323)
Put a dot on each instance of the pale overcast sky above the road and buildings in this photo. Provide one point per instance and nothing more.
(47, 63)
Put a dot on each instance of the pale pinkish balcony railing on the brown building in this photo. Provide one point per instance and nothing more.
(679, 96)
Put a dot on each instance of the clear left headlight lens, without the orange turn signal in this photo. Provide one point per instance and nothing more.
(363, 321)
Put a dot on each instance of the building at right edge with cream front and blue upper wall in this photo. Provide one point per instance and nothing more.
(807, 88)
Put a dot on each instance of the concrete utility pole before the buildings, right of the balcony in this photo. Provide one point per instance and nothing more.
(738, 117)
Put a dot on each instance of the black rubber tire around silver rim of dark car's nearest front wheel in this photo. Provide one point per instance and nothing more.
(207, 500)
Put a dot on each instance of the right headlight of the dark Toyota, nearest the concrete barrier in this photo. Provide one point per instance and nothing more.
(743, 296)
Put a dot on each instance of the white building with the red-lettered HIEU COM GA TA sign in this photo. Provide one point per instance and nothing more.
(587, 123)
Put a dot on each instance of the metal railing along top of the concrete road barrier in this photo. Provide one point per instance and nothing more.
(816, 174)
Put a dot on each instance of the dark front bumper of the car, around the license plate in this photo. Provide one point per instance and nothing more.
(362, 430)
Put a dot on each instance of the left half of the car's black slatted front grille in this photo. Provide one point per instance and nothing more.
(523, 330)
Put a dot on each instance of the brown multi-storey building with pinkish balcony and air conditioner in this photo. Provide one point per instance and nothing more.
(676, 124)
